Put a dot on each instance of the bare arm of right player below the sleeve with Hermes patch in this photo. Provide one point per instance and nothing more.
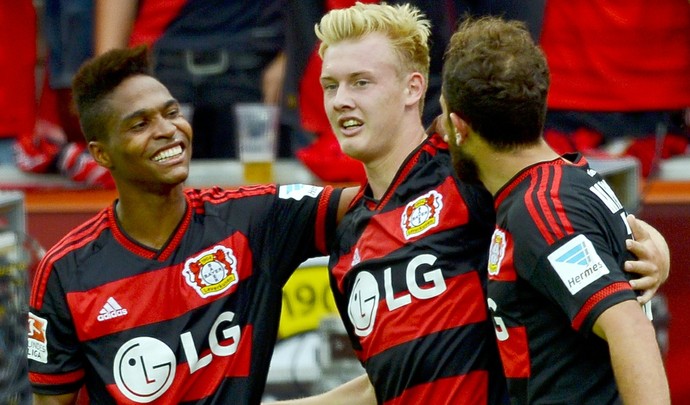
(635, 357)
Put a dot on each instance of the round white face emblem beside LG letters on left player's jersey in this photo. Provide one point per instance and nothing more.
(144, 369)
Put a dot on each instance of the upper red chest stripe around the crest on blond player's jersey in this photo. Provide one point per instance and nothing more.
(384, 233)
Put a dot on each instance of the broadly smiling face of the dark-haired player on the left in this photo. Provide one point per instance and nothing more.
(149, 140)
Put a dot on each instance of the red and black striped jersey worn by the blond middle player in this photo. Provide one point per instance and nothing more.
(408, 277)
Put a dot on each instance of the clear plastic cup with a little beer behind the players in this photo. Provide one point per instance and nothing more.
(257, 133)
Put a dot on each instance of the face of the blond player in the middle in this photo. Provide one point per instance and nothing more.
(364, 95)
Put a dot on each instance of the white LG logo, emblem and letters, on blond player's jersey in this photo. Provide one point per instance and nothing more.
(364, 299)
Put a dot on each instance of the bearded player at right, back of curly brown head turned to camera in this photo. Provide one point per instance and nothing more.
(569, 326)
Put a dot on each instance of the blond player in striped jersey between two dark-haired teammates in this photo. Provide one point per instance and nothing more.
(408, 266)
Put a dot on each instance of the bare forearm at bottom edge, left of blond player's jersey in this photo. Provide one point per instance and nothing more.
(357, 391)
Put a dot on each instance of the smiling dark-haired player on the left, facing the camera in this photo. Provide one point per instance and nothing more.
(169, 295)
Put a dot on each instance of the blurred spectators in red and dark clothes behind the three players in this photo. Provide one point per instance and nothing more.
(620, 74)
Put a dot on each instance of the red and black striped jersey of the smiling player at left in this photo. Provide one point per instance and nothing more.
(193, 322)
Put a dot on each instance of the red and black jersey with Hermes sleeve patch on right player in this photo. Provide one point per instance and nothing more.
(555, 265)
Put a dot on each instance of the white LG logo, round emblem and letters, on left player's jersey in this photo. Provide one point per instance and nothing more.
(144, 367)
